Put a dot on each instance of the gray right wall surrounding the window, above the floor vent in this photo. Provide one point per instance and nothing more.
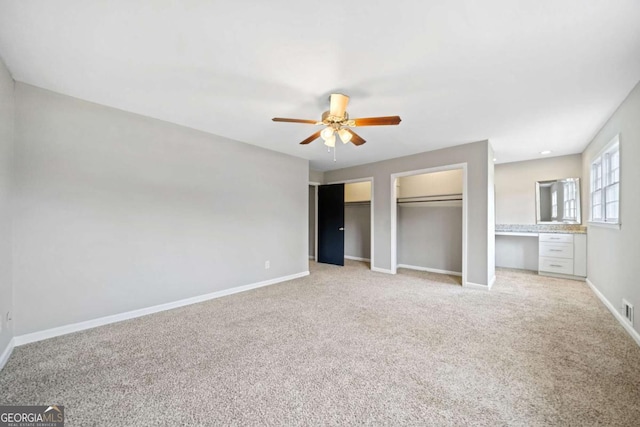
(612, 255)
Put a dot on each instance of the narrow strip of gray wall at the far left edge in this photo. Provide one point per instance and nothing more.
(6, 155)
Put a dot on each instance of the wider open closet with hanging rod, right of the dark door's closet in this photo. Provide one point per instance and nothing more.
(429, 221)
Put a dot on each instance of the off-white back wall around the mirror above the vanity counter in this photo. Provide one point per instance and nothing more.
(515, 185)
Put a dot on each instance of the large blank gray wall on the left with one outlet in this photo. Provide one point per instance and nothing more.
(116, 212)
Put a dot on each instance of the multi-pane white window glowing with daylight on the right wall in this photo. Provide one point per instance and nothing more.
(605, 185)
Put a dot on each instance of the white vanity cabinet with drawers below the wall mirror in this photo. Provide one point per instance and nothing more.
(563, 255)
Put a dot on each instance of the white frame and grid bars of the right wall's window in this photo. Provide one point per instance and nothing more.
(603, 178)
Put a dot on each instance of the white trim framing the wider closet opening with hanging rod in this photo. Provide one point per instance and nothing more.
(394, 212)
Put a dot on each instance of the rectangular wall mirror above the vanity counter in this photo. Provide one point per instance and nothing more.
(558, 201)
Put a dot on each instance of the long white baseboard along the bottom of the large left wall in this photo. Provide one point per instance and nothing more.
(81, 326)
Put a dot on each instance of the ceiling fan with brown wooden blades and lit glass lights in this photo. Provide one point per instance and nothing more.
(337, 121)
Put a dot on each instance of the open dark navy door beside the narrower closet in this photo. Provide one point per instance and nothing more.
(331, 224)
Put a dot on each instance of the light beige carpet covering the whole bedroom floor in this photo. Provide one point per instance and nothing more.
(348, 346)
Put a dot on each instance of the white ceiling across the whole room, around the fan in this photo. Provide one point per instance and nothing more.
(527, 75)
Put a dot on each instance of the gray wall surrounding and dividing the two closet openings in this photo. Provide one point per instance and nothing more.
(481, 220)
